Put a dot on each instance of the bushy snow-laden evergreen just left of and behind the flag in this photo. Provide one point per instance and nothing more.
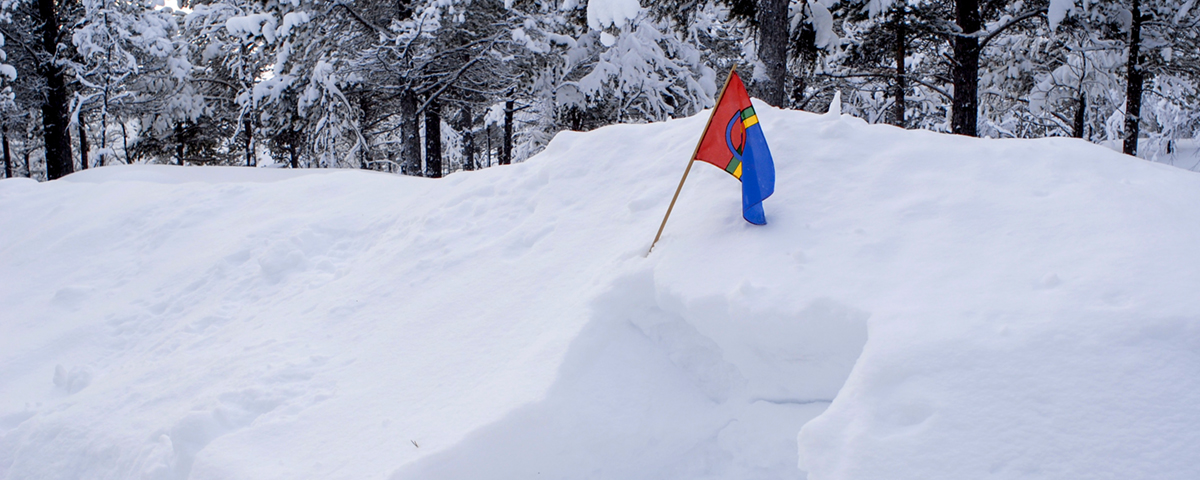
(604, 64)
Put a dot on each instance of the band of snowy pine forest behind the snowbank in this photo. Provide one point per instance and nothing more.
(433, 87)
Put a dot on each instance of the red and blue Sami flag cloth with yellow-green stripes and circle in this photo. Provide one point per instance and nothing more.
(734, 141)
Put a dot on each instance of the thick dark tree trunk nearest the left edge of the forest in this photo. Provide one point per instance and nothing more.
(55, 112)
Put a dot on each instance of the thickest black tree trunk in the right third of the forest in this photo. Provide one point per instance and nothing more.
(967, 70)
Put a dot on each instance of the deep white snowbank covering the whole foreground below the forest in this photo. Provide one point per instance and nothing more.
(921, 307)
